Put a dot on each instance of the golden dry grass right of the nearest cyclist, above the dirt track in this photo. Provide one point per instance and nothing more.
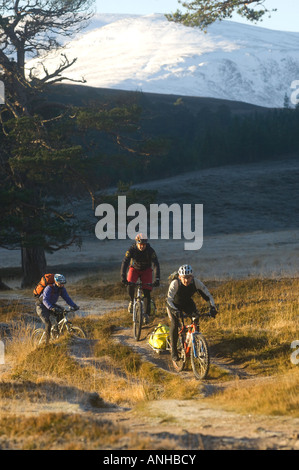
(258, 320)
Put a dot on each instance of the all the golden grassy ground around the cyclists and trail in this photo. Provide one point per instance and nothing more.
(257, 322)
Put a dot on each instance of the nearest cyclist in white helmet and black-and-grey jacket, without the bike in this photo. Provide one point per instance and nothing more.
(179, 300)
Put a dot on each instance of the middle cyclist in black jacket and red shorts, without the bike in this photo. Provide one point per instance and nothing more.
(140, 258)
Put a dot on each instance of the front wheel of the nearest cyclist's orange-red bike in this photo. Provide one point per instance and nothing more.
(200, 356)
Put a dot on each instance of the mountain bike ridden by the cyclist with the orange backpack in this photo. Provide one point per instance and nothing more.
(64, 326)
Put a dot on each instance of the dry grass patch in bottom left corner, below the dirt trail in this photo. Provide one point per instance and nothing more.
(62, 431)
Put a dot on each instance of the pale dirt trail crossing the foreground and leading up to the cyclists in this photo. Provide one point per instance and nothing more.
(166, 424)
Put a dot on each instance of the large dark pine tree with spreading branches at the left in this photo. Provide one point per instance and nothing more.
(40, 163)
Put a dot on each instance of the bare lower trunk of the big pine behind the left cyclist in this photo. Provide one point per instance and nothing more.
(34, 265)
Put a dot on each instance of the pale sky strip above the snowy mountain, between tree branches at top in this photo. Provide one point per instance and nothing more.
(285, 19)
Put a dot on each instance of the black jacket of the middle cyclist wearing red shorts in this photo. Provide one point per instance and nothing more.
(140, 260)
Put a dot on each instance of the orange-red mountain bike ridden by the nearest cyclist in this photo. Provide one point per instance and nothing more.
(192, 344)
